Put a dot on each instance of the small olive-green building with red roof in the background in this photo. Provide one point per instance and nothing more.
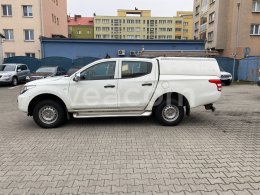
(81, 27)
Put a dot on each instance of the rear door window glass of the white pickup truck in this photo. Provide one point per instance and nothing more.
(132, 69)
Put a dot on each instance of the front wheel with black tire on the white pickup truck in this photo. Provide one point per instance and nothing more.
(53, 107)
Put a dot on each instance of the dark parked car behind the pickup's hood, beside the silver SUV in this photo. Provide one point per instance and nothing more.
(47, 71)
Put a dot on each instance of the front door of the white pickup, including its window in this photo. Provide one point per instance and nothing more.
(97, 88)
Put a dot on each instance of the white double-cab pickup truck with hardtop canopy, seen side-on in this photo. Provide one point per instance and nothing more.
(165, 87)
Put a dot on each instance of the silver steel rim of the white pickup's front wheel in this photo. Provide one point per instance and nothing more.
(48, 114)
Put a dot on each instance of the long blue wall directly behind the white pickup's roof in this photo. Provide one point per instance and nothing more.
(75, 48)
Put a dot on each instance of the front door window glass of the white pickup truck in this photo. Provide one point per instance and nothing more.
(102, 71)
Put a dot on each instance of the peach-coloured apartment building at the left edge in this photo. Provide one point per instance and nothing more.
(23, 22)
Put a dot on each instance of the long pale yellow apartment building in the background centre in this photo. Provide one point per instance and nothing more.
(139, 24)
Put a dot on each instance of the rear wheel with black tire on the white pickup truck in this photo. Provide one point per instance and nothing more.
(160, 110)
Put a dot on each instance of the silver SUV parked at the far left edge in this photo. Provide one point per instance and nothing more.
(14, 73)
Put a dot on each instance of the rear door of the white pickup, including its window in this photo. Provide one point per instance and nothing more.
(136, 85)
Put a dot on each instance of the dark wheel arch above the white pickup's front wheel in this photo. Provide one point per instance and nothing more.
(45, 96)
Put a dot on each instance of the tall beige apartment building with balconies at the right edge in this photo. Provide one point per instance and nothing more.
(231, 27)
